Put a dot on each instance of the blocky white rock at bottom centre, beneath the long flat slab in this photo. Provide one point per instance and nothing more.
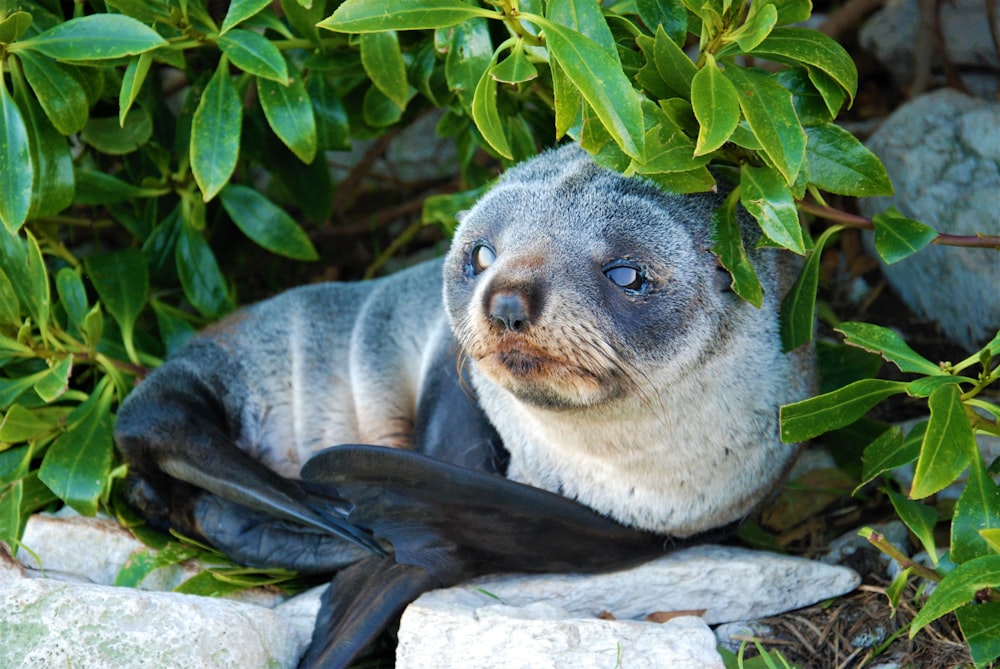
(461, 627)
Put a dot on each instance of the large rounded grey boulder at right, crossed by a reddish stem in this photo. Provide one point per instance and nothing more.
(942, 152)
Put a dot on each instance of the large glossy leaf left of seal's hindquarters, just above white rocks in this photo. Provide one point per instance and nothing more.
(77, 464)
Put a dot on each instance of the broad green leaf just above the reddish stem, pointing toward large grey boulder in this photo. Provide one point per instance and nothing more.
(838, 163)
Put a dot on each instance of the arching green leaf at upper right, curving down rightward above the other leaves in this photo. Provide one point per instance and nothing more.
(793, 46)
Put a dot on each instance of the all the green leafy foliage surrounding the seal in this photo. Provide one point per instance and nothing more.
(137, 138)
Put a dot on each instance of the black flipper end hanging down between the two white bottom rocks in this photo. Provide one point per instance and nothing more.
(362, 600)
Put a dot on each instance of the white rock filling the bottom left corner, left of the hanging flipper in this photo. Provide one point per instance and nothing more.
(46, 623)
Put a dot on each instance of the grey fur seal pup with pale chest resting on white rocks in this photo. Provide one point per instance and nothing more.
(579, 339)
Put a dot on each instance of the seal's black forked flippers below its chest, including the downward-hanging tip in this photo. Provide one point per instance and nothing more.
(447, 524)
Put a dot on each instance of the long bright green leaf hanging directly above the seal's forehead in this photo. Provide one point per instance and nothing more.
(601, 81)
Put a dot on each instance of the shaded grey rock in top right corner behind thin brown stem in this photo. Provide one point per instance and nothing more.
(892, 35)
